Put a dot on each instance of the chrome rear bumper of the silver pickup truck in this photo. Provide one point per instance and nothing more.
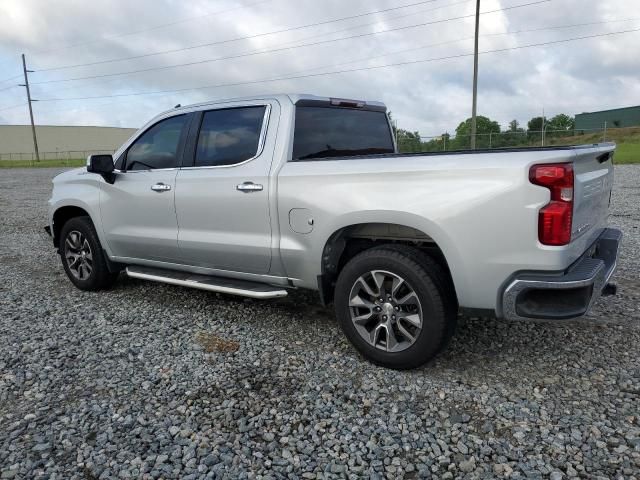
(563, 295)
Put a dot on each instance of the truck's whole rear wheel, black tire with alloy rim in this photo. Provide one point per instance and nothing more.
(396, 305)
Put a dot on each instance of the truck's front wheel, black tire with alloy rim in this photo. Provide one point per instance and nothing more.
(82, 256)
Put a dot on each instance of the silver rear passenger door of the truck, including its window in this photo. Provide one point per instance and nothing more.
(222, 191)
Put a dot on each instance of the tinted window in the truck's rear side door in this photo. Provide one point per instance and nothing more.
(229, 136)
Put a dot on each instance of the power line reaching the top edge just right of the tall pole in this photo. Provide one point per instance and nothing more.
(261, 52)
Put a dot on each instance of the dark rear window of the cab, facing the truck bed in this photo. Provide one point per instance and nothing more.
(323, 132)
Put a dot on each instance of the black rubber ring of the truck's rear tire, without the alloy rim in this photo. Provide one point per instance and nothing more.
(434, 318)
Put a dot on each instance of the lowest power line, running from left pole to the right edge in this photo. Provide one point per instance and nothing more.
(374, 67)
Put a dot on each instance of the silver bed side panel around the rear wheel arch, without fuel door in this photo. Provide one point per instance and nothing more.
(480, 209)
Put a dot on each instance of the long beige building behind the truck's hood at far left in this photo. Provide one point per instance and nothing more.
(16, 141)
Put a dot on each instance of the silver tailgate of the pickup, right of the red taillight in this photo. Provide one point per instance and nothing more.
(593, 171)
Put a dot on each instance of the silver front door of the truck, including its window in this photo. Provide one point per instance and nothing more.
(138, 209)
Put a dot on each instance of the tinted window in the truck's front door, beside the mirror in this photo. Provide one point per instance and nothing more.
(158, 146)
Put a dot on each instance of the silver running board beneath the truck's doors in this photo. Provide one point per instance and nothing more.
(230, 286)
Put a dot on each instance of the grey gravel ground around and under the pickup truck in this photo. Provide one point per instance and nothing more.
(149, 381)
